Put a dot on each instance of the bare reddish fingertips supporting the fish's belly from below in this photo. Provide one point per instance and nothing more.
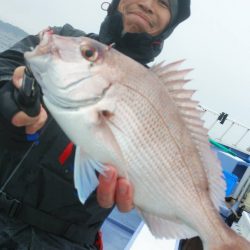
(114, 190)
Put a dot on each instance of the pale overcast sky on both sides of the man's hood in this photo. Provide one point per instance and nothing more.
(215, 41)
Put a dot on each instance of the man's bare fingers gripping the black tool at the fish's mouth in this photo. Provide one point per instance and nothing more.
(20, 119)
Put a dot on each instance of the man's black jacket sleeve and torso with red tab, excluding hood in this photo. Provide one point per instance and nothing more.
(43, 184)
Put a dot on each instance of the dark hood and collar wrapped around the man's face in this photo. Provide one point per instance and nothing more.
(142, 47)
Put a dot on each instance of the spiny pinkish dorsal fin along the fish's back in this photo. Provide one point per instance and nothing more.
(174, 80)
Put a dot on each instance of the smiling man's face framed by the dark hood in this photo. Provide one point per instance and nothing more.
(150, 16)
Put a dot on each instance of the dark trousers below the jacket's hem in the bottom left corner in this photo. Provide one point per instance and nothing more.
(15, 235)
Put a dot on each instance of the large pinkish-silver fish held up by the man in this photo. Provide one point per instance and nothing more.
(145, 122)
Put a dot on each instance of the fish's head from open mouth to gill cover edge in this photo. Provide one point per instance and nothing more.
(72, 71)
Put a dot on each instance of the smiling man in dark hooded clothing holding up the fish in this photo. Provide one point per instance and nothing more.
(39, 207)
